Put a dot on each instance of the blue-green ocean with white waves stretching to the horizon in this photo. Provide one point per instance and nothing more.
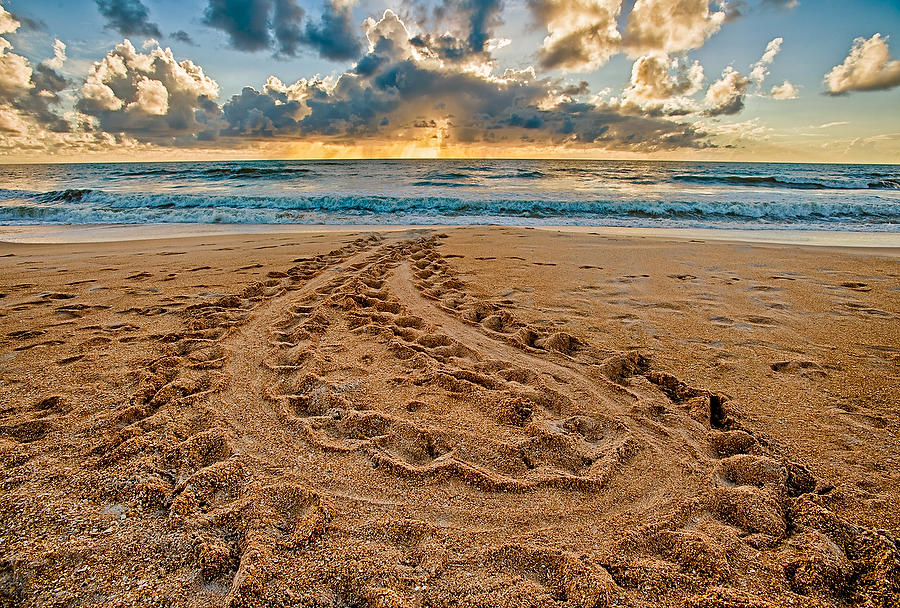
(518, 192)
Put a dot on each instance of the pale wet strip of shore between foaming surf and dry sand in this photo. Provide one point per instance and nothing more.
(103, 233)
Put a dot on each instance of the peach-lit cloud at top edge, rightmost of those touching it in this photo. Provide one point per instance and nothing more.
(670, 26)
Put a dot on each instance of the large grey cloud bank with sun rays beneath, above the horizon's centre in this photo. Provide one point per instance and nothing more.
(400, 91)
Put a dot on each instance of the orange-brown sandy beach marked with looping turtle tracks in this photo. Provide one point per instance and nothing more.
(478, 416)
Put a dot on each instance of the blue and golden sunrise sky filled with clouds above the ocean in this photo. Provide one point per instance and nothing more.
(748, 80)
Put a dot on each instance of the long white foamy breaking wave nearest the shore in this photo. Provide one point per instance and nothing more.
(85, 206)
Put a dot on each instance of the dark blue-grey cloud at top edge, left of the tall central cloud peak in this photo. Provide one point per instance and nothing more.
(256, 25)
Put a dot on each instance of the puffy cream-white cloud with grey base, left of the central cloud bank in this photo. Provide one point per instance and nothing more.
(150, 96)
